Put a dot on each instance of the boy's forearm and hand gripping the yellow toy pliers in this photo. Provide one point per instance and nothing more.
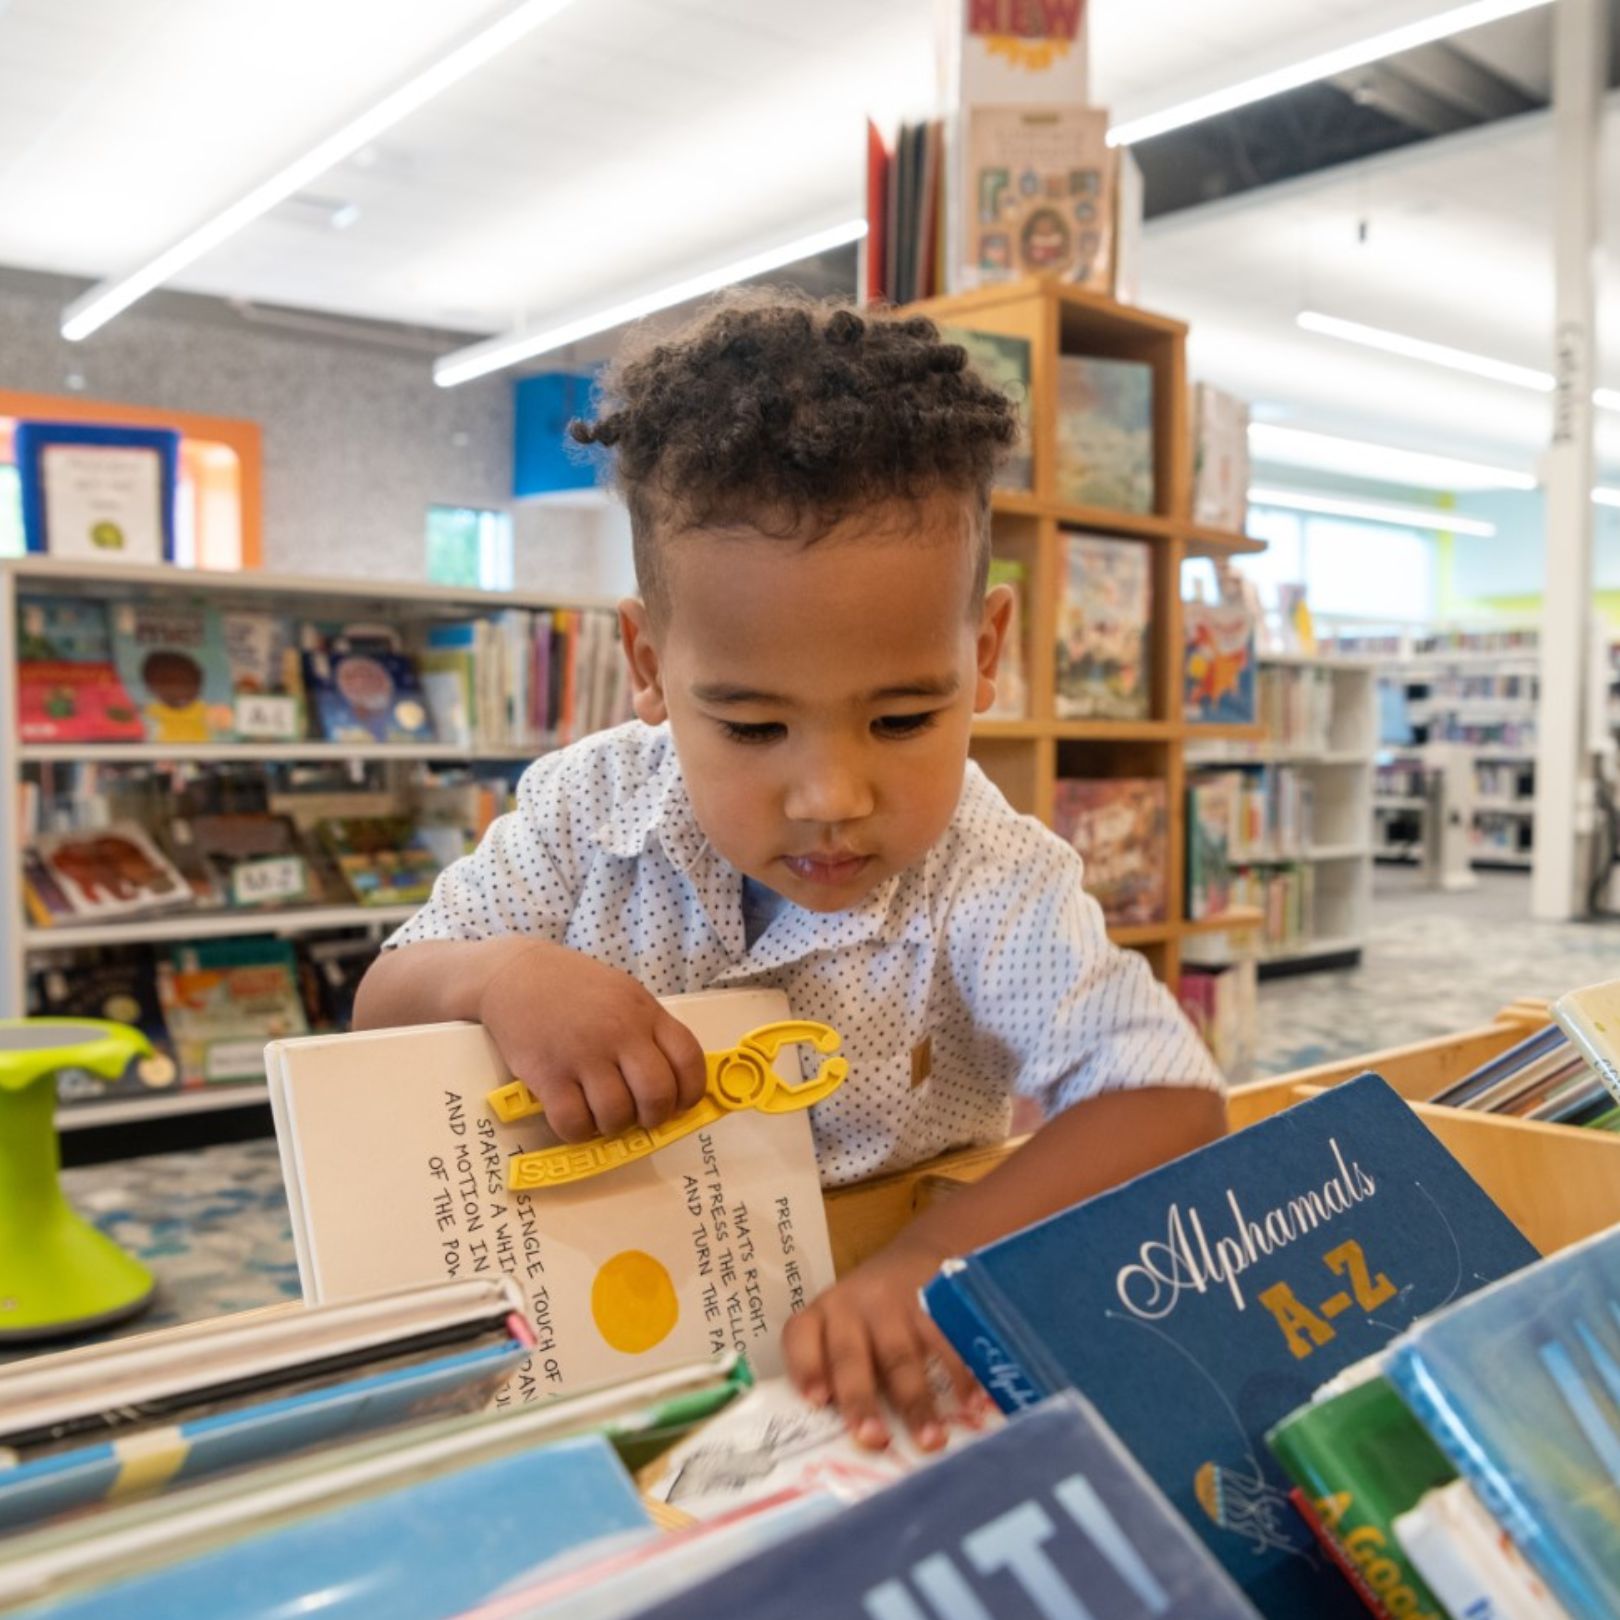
(594, 1046)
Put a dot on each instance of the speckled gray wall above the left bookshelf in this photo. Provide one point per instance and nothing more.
(359, 441)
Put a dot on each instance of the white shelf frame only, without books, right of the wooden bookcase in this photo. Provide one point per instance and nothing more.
(1339, 769)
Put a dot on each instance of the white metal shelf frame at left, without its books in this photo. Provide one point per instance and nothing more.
(301, 597)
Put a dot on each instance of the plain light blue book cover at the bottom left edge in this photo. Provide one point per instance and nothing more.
(425, 1551)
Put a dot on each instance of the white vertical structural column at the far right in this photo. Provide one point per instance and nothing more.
(1564, 790)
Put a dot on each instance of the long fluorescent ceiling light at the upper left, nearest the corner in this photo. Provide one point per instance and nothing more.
(96, 307)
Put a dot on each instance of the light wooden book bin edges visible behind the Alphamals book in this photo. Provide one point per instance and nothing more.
(1556, 1183)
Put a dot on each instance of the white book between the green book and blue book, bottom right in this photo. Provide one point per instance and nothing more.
(1470, 1562)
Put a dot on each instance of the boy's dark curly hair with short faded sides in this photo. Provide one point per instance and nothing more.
(785, 416)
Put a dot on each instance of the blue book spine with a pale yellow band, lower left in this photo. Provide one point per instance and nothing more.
(181, 1454)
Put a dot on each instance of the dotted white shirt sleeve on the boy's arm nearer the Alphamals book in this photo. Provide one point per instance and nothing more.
(1068, 1013)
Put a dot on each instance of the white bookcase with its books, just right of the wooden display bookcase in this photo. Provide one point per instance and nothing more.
(1294, 812)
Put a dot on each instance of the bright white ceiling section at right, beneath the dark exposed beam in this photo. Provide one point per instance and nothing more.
(1457, 250)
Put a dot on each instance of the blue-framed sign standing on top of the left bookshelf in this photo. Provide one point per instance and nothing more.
(98, 493)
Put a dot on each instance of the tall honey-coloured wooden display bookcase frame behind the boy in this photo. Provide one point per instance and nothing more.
(1031, 754)
